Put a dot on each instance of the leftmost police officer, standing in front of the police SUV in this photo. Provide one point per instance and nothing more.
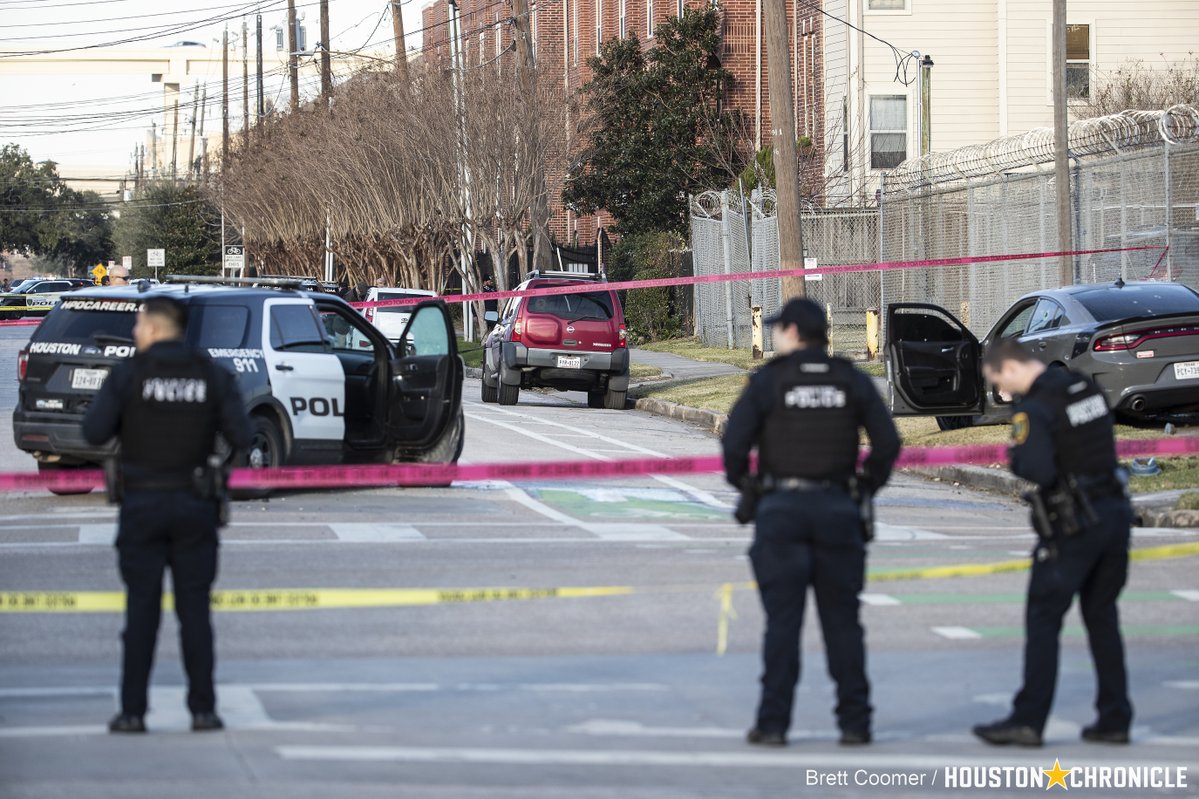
(167, 406)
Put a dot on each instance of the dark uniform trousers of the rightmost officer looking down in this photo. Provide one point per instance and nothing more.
(1093, 566)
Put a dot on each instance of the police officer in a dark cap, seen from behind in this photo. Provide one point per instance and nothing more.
(804, 412)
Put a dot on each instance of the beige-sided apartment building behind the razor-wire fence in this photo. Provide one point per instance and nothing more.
(991, 76)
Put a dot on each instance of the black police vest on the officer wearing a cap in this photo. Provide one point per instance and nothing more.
(812, 428)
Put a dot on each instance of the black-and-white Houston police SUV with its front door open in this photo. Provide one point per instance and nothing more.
(322, 385)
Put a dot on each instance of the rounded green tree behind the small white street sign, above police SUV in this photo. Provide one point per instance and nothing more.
(173, 218)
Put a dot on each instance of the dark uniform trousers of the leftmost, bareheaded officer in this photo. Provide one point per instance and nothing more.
(161, 530)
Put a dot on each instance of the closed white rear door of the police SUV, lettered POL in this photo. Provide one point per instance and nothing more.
(306, 377)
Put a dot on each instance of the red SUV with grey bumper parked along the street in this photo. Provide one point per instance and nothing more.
(570, 343)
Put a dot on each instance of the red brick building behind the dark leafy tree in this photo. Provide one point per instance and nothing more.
(568, 33)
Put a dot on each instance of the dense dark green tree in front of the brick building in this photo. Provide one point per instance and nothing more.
(655, 133)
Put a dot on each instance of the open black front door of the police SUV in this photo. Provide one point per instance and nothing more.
(425, 395)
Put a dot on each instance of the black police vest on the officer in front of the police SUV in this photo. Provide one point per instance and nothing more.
(170, 420)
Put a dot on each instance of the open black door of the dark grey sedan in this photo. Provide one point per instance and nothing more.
(935, 363)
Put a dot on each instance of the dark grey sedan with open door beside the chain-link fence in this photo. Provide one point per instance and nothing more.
(1138, 341)
